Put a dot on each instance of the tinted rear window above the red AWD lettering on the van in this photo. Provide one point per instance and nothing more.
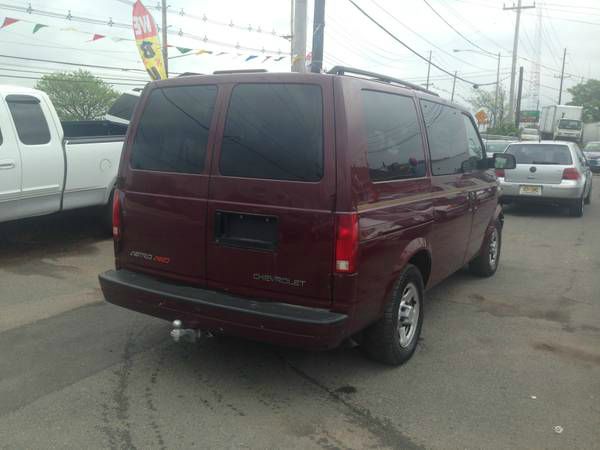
(173, 131)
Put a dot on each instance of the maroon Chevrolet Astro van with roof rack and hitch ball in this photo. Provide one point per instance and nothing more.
(300, 209)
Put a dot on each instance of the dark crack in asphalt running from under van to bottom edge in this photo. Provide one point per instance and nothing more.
(383, 429)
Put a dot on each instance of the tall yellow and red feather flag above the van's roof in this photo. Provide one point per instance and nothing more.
(148, 44)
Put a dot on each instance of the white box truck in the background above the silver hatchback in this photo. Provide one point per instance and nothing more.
(561, 122)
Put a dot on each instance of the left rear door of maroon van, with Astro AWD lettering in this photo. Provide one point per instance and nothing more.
(164, 182)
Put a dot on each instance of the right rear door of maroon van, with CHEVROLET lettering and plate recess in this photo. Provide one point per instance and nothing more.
(270, 211)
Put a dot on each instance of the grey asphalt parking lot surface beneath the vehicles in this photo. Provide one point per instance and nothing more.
(502, 361)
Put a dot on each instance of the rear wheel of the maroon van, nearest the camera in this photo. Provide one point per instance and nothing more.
(393, 339)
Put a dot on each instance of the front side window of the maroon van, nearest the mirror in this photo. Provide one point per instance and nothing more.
(446, 136)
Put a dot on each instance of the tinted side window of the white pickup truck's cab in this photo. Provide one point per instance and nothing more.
(30, 122)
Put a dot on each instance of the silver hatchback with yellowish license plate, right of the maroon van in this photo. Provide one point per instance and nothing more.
(548, 172)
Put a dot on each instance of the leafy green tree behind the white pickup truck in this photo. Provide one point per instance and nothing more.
(78, 95)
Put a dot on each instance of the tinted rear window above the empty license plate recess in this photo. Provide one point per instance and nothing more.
(274, 131)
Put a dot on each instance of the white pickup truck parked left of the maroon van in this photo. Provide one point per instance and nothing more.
(47, 166)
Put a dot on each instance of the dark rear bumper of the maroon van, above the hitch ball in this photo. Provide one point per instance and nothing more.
(278, 323)
